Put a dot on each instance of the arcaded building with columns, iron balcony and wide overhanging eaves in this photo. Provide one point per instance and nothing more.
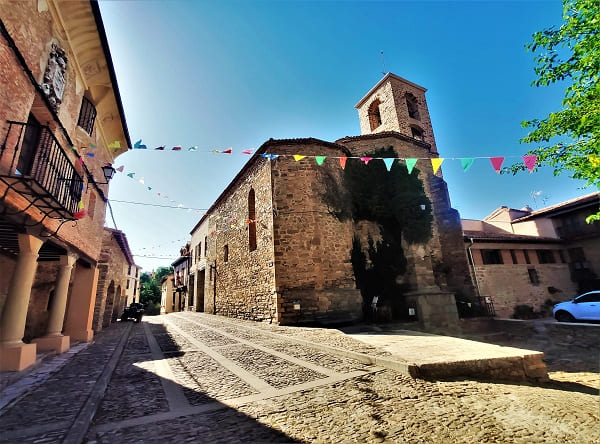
(61, 126)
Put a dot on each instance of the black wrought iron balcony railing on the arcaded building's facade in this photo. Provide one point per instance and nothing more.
(35, 165)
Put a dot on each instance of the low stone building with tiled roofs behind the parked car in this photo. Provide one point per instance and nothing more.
(526, 257)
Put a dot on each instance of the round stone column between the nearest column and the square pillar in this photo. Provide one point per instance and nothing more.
(54, 339)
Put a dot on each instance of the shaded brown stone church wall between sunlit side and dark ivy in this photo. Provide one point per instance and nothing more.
(312, 247)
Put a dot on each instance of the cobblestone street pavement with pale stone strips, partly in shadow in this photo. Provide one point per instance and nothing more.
(193, 377)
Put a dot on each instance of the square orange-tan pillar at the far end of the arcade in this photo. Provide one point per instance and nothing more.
(80, 312)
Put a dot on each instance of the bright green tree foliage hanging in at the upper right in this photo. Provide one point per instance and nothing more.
(571, 53)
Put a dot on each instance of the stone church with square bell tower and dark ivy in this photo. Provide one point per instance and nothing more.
(341, 240)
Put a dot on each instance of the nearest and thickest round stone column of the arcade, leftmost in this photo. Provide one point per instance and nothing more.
(15, 355)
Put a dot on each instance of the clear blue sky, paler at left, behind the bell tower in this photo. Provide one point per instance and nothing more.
(234, 74)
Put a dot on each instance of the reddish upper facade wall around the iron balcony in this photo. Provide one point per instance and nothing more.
(34, 31)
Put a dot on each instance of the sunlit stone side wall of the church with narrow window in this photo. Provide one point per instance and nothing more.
(245, 283)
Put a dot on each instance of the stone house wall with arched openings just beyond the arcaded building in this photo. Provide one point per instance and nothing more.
(112, 268)
